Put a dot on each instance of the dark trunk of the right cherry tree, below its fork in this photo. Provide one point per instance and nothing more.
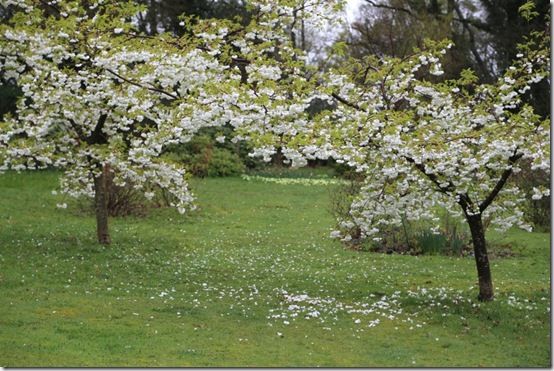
(481, 257)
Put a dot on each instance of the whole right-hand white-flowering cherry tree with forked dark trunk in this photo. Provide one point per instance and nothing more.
(424, 145)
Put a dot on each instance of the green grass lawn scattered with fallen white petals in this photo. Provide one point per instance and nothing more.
(250, 279)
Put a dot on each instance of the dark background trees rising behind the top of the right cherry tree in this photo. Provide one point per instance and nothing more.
(485, 34)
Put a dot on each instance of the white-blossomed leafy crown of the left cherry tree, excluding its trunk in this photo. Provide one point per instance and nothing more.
(98, 93)
